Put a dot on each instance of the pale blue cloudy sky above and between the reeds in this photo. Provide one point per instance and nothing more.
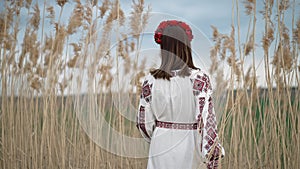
(200, 15)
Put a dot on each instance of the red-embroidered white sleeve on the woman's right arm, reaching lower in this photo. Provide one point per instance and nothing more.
(210, 147)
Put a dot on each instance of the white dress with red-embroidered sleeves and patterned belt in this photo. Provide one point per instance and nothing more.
(178, 104)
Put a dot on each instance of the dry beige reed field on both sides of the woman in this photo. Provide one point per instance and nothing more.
(63, 95)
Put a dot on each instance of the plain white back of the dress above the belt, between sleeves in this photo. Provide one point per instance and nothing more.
(173, 100)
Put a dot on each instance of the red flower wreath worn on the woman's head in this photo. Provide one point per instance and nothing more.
(160, 29)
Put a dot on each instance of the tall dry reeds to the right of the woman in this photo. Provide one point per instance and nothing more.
(259, 126)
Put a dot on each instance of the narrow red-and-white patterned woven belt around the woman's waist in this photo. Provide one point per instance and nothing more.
(181, 126)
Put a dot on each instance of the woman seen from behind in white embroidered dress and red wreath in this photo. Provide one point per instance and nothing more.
(176, 114)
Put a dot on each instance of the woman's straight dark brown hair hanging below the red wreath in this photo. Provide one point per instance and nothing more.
(176, 54)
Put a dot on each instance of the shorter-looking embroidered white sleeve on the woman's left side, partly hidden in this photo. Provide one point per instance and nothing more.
(145, 117)
